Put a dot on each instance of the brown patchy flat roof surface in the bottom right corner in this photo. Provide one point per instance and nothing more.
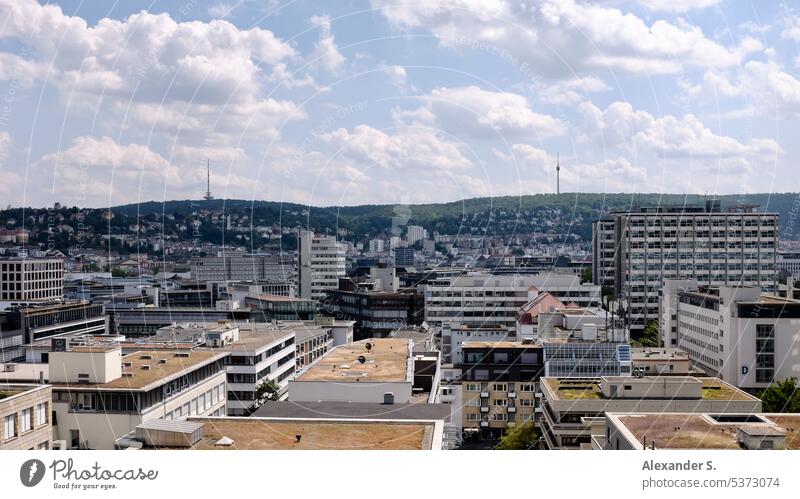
(700, 431)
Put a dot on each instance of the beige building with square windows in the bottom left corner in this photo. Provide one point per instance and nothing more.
(25, 415)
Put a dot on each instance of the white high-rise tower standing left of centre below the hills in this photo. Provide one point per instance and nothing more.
(321, 262)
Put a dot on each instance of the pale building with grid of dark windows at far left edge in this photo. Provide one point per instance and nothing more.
(30, 280)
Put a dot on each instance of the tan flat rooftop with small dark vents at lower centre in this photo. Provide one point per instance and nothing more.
(387, 361)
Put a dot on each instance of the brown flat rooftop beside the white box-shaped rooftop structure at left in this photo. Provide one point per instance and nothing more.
(176, 364)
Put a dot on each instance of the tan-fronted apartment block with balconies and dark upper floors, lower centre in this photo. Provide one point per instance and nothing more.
(498, 383)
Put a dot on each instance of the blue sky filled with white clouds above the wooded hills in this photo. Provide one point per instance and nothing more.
(394, 102)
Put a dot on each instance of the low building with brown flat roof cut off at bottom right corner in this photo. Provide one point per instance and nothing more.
(707, 431)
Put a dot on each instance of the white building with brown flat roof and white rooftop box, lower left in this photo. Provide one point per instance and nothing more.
(99, 395)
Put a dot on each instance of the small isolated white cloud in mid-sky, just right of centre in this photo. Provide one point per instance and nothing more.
(483, 113)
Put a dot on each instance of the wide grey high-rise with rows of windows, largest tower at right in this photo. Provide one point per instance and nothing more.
(642, 248)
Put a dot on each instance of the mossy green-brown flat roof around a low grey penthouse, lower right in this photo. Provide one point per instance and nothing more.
(579, 389)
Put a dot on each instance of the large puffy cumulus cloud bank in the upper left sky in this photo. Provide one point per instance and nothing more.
(147, 61)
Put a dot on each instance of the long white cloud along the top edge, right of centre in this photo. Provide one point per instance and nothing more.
(560, 37)
